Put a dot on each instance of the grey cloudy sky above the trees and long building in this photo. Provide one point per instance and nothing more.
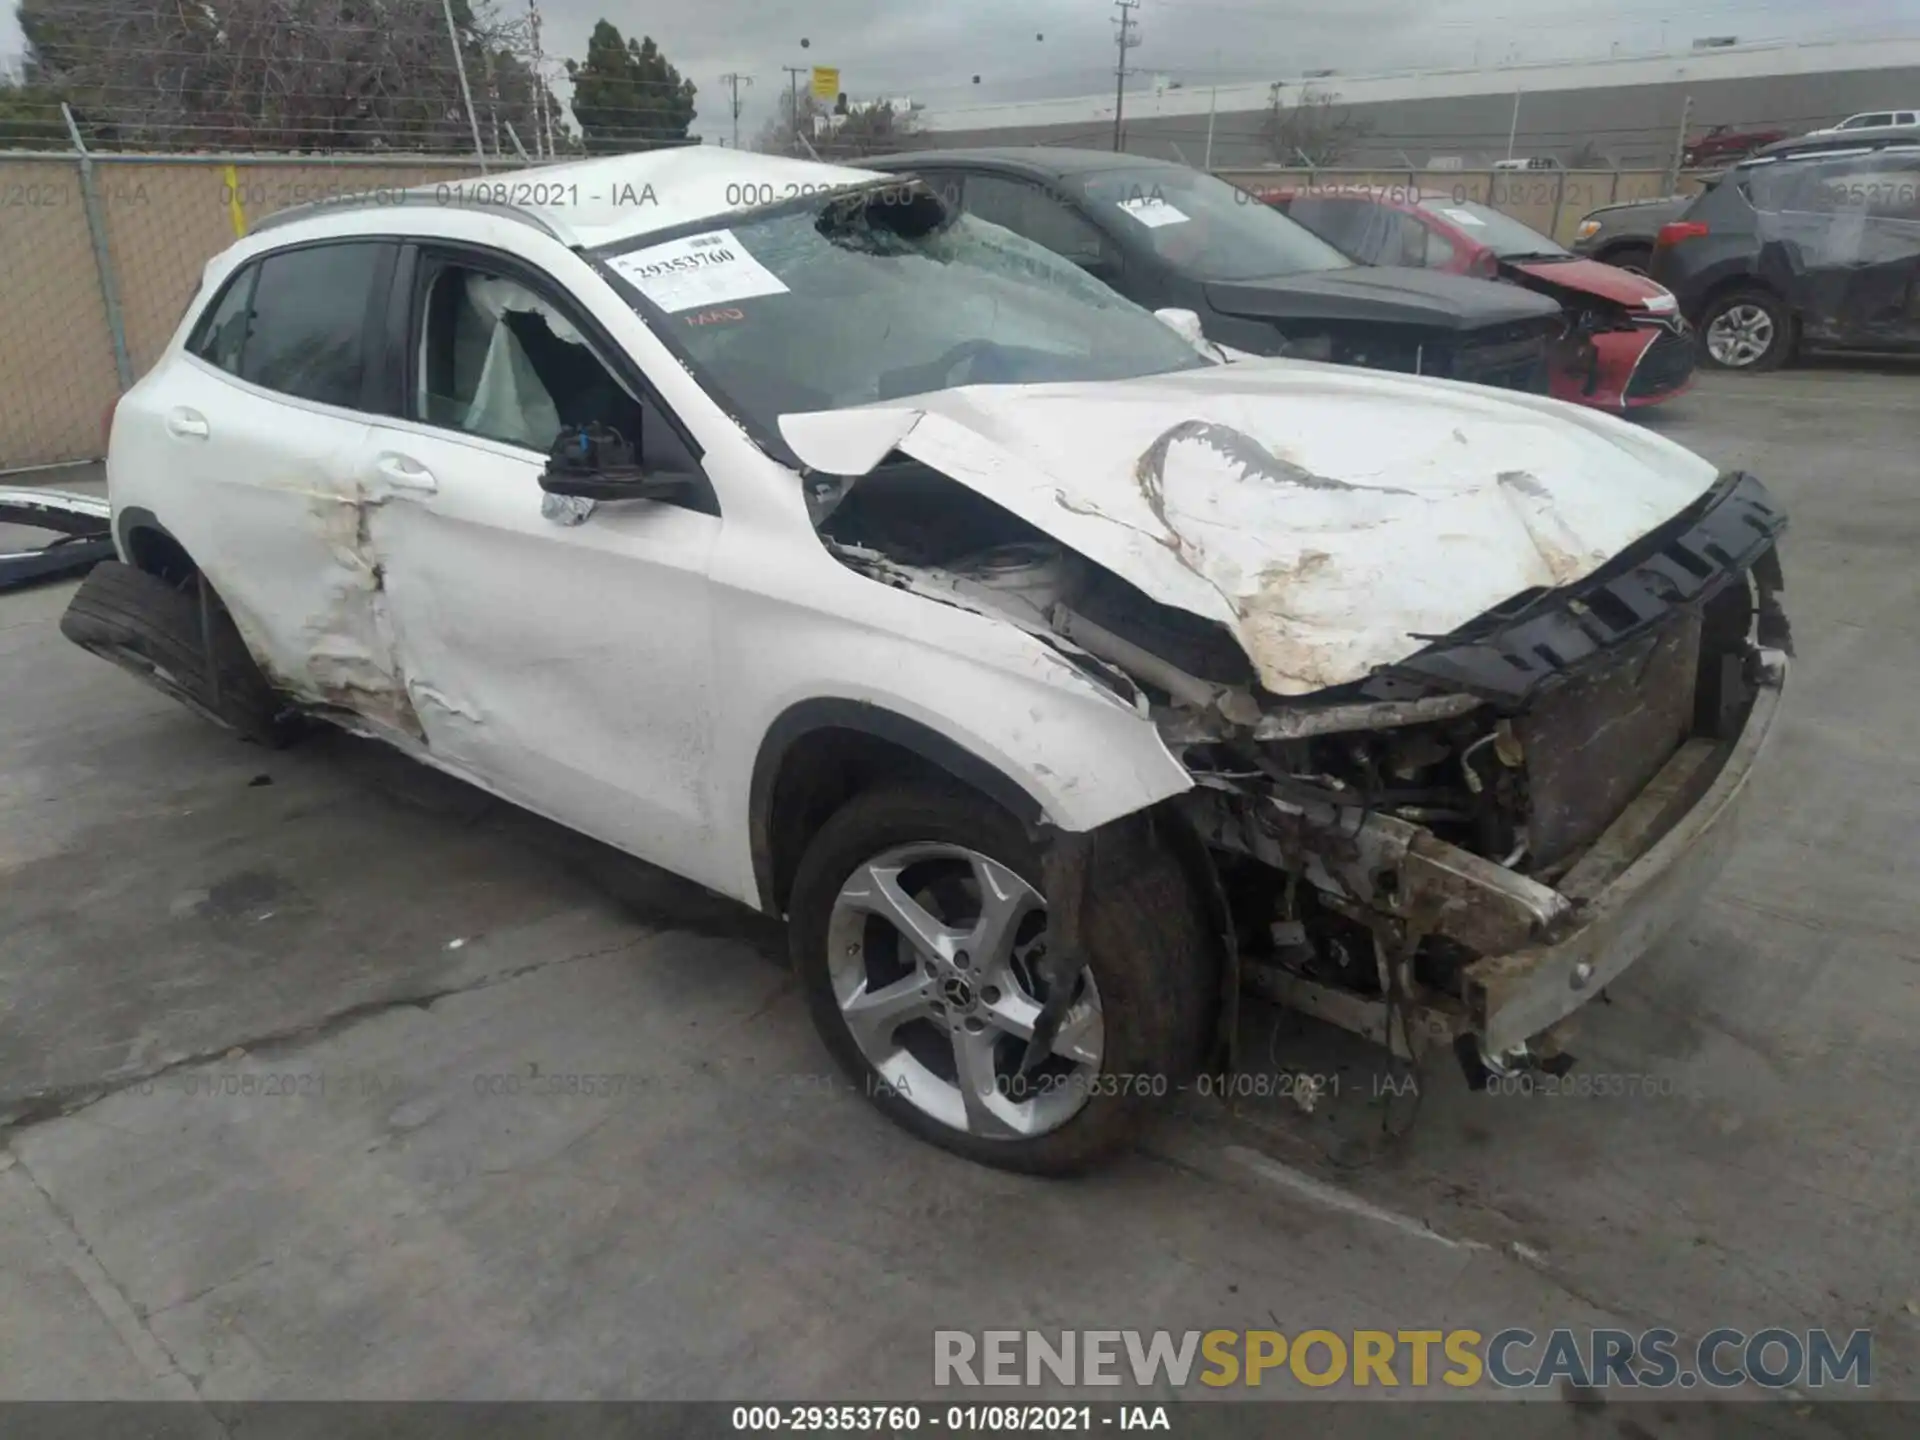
(1032, 49)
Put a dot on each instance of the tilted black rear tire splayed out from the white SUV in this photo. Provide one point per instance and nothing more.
(153, 631)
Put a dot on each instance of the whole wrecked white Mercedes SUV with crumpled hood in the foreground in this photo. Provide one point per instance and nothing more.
(882, 571)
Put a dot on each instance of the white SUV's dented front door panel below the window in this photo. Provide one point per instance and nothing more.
(564, 665)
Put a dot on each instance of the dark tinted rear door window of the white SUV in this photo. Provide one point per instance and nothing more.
(310, 308)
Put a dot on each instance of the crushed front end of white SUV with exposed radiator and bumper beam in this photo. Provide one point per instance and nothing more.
(1470, 846)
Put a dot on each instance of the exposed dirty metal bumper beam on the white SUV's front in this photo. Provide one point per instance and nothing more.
(1545, 951)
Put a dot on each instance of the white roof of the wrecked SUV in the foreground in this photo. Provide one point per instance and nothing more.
(598, 203)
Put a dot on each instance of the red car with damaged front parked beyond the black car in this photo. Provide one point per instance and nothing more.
(1625, 343)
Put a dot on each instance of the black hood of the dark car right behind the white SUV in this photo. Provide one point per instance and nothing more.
(1381, 295)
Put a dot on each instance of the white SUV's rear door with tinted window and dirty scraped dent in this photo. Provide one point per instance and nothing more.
(256, 435)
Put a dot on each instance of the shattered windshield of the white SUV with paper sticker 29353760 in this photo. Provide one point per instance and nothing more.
(882, 295)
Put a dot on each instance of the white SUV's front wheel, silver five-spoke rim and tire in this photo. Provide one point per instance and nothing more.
(919, 934)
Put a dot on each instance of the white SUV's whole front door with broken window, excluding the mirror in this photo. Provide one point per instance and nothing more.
(558, 656)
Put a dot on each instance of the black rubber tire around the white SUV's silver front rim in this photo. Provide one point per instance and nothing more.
(1147, 940)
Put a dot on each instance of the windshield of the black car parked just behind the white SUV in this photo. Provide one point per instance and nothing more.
(1205, 228)
